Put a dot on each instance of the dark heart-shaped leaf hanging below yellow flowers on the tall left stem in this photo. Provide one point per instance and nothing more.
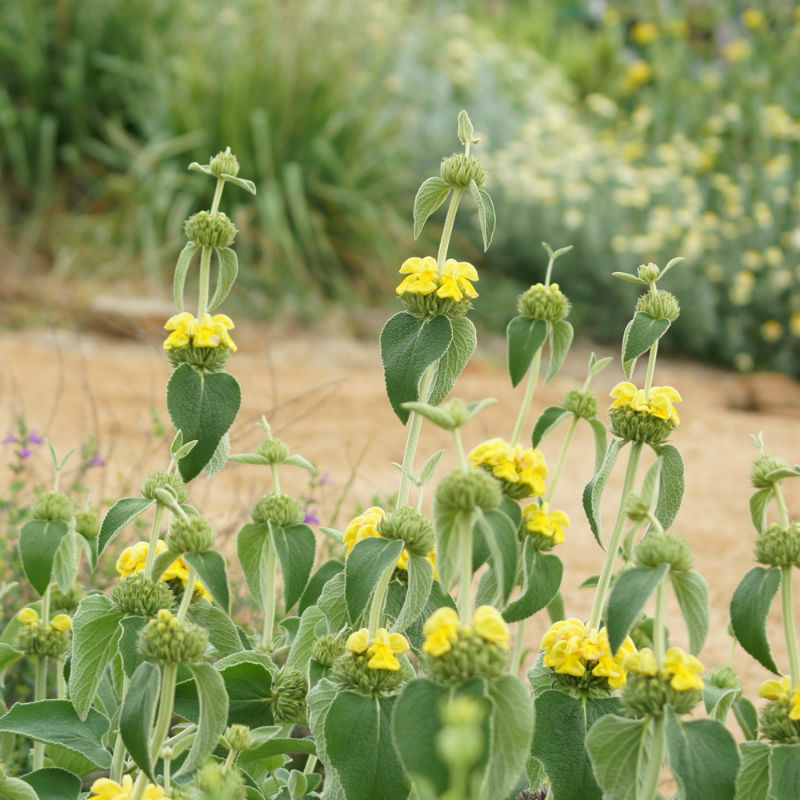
(203, 406)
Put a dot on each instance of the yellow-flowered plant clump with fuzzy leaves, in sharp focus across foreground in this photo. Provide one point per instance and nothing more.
(399, 644)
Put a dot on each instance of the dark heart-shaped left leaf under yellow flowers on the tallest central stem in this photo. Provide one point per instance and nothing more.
(408, 347)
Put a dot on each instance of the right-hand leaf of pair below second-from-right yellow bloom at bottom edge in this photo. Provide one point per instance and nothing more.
(702, 756)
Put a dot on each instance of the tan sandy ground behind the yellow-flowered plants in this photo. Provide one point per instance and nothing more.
(323, 393)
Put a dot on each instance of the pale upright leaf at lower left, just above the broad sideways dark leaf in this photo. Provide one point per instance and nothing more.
(95, 634)
